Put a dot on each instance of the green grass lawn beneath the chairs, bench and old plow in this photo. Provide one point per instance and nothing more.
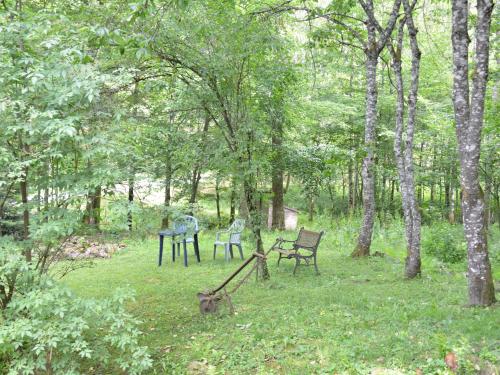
(356, 316)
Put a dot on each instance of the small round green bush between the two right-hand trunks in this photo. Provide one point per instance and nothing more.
(445, 242)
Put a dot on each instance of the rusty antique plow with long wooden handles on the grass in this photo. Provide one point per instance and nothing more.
(209, 300)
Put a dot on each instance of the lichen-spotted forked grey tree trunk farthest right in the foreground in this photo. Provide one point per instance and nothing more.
(469, 113)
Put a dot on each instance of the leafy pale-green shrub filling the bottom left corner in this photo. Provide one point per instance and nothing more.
(46, 328)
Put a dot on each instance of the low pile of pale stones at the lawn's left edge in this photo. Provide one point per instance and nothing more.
(85, 248)
